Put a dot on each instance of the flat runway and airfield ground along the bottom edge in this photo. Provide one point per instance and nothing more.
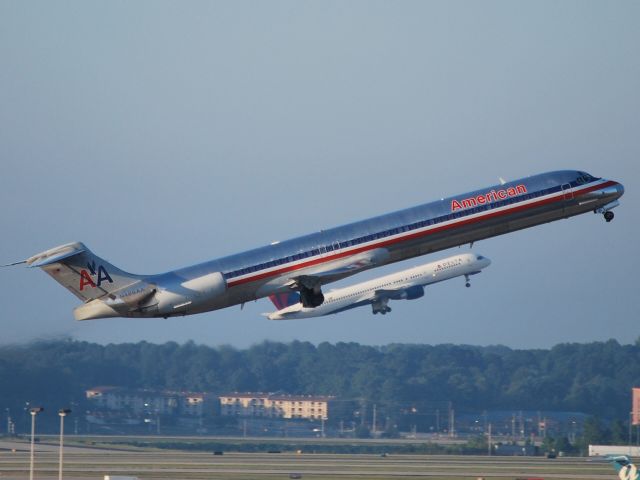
(93, 463)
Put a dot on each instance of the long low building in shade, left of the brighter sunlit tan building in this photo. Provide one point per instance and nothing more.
(140, 401)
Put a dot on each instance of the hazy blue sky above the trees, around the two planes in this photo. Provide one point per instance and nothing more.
(163, 134)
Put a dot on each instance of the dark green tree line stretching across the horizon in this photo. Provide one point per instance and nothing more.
(593, 378)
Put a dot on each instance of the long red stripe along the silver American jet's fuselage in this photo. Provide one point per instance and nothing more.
(458, 223)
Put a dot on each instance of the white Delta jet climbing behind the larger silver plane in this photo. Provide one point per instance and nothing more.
(405, 285)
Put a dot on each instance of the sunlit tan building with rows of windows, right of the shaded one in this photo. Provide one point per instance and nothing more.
(268, 405)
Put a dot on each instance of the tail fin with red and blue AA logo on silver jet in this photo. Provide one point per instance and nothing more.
(82, 272)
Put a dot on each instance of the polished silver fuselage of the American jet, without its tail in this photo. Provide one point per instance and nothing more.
(405, 234)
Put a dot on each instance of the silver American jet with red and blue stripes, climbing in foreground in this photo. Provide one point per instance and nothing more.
(305, 264)
